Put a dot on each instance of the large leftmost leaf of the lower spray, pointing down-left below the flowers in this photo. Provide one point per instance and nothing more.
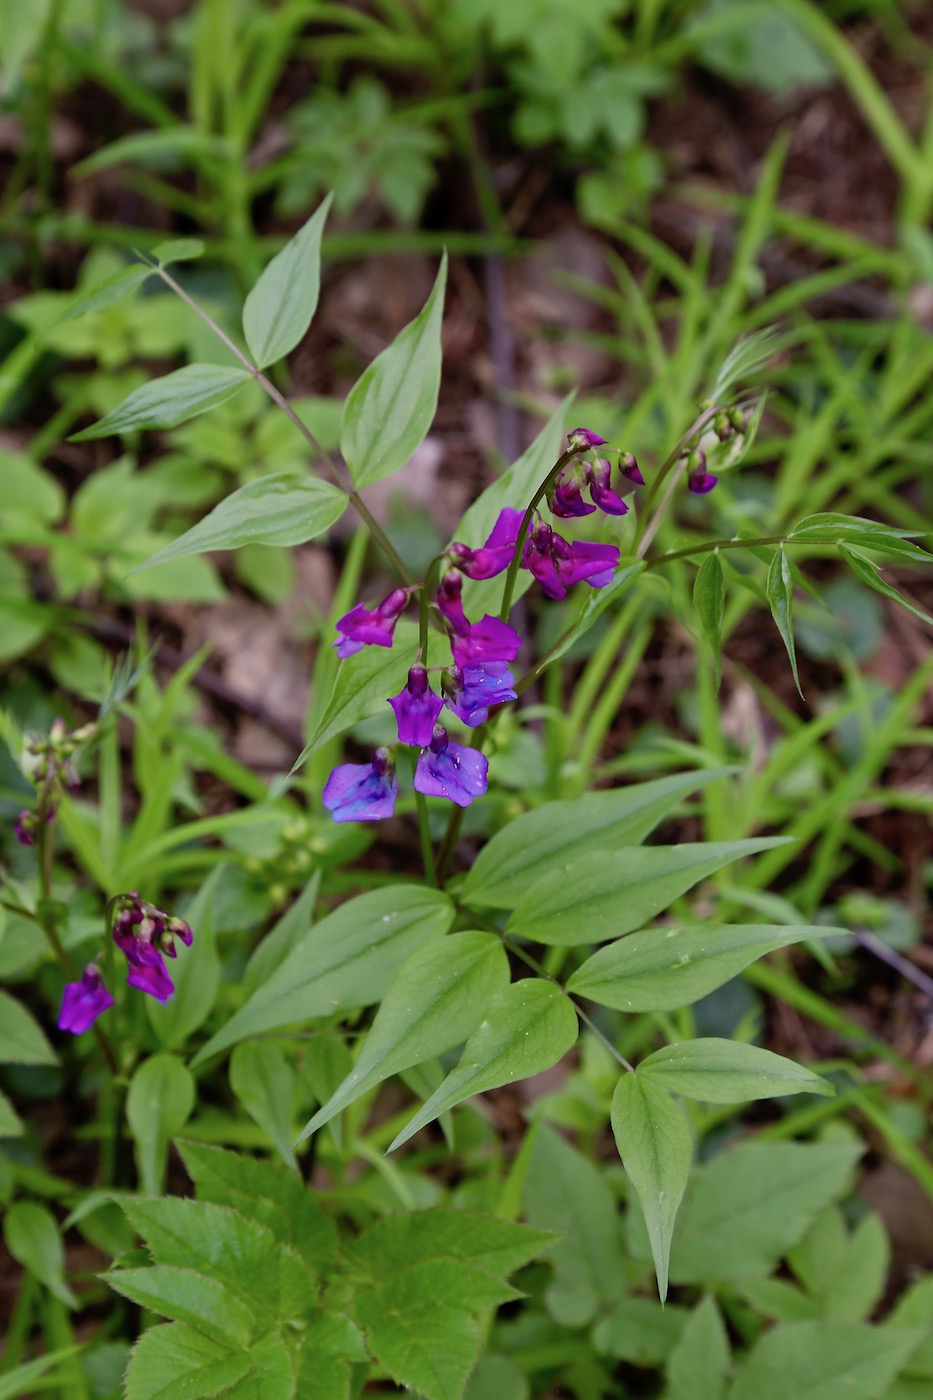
(350, 960)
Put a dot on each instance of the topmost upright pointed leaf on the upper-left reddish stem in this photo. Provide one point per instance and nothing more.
(279, 309)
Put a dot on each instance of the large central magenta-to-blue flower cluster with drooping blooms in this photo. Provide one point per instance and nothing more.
(480, 678)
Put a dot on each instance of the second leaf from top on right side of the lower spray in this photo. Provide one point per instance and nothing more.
(603, 894)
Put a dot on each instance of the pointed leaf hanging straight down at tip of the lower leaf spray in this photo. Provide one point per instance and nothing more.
(655, 1144)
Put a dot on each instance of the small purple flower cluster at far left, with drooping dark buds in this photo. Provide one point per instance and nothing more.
(146, 936)
